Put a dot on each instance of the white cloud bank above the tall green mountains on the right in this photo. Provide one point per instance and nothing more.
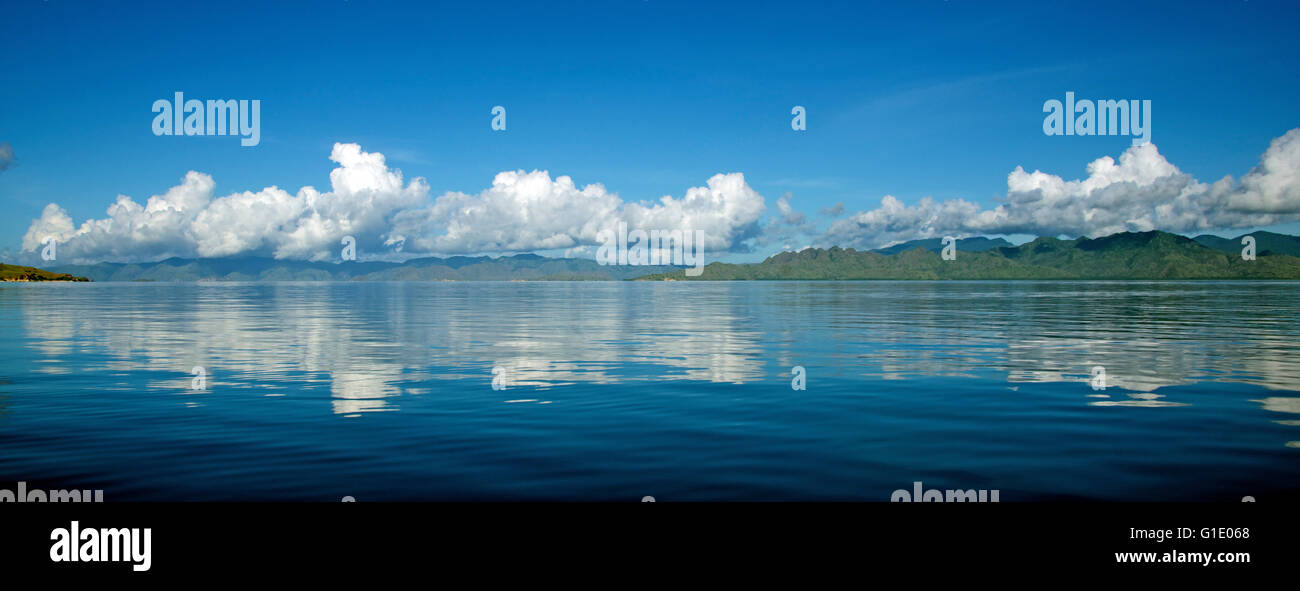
(1141, 193)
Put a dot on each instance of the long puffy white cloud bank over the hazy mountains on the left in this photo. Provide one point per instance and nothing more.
(370, 202)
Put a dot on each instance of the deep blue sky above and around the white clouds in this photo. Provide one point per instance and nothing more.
(909, 99)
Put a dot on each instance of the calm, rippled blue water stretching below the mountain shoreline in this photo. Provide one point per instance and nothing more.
(681, 392)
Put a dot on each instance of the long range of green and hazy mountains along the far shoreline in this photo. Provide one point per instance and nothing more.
(1152, 255)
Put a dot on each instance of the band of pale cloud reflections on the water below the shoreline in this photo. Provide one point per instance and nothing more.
(363, 347)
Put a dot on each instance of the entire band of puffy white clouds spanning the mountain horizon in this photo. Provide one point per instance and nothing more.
(523, 212)
